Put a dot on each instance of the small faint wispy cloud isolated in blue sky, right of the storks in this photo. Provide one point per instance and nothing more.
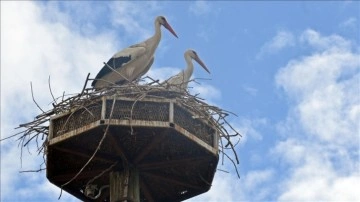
(281, 40)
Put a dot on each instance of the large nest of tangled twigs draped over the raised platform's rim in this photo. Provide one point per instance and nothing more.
(38, 129)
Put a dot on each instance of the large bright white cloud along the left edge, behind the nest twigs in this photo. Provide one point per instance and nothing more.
(34, 47)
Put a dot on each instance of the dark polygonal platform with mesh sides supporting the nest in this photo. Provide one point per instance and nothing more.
(175, 153)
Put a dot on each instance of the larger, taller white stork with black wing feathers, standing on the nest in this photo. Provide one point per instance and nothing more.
(132, 62)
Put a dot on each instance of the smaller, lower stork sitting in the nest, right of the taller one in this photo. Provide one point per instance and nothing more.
(181, 80)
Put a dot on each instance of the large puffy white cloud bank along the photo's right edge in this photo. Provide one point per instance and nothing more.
(321, 146)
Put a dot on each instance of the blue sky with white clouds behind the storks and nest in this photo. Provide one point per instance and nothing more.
(289, 70)
